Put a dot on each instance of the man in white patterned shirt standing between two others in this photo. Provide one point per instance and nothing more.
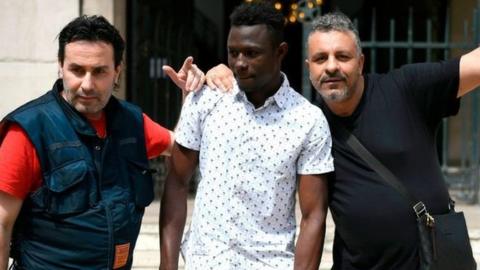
(251, 145)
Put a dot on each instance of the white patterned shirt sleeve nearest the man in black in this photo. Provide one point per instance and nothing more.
(316, 156)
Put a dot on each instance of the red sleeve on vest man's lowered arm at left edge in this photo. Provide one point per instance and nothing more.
(20, 171)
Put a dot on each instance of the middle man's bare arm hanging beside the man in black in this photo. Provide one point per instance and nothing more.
(313, 199)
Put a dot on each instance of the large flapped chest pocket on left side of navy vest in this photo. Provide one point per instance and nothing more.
(66, 189)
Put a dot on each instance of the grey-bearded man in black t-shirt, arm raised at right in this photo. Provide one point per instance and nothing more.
(395, 116)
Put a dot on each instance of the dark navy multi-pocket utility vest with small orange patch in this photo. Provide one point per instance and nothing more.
(88, 211)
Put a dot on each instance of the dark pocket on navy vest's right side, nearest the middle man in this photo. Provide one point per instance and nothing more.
(142, 183)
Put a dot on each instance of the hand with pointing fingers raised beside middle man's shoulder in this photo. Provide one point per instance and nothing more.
(188, 78)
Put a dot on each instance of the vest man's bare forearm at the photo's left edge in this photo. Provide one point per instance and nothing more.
(9, 209)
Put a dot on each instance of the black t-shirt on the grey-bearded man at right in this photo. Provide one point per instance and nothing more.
(396, 120)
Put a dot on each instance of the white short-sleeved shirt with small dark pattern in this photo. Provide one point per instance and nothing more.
(244, 212)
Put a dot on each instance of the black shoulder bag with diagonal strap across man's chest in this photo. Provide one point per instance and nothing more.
(443, 239)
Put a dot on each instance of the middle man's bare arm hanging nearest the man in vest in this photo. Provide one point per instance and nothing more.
(173, 209)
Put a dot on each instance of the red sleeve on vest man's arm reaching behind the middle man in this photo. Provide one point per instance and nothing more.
(157, 138)
